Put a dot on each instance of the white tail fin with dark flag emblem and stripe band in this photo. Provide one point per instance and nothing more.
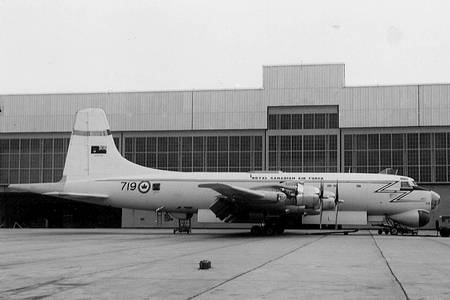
(92, 152)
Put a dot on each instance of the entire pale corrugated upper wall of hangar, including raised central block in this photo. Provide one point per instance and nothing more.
(388, 106)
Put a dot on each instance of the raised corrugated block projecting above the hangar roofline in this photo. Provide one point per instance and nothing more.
(306, 76)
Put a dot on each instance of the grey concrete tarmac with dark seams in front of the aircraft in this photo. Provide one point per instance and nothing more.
(156, 264)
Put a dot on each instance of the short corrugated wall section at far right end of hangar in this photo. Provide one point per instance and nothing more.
(434, 105)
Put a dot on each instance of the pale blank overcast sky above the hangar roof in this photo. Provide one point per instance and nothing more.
(59, 46)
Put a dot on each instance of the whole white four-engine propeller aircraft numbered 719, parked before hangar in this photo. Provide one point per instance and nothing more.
(95, 172)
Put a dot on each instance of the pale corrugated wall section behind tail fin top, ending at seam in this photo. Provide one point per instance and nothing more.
(127, 111)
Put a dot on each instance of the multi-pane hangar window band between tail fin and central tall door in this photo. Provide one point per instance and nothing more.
(197, 153)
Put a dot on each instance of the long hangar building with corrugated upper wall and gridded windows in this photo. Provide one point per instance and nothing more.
(302, 119)
